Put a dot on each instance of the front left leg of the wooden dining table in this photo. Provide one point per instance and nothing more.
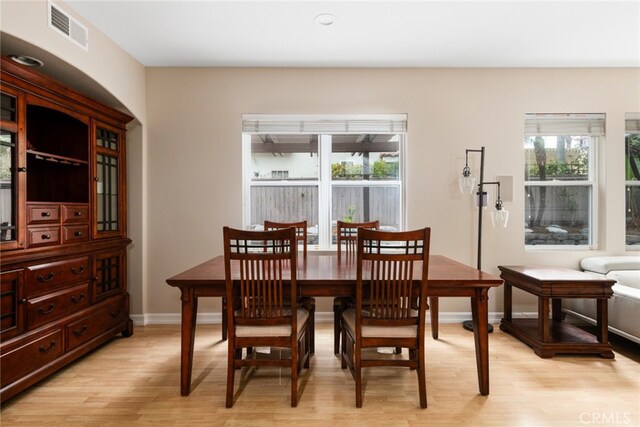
(189, 315)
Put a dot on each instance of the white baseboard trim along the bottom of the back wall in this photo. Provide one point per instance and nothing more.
(321, 317)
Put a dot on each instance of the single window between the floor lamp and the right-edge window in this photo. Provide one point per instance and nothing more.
(560, 176)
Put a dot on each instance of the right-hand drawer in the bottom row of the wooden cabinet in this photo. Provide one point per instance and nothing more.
(101, 320)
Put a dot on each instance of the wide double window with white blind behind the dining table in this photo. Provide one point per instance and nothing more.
(323, 169)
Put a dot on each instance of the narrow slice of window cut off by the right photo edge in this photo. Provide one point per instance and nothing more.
(632, 179)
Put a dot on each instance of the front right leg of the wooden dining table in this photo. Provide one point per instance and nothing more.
(480, 315)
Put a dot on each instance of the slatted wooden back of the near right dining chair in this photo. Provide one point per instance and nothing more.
(386, 263)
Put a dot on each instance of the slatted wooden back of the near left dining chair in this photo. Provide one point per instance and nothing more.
(266, 287)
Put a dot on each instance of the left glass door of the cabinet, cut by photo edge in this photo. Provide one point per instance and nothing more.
(11, 169)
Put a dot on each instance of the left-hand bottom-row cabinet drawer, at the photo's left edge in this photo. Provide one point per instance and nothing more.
(30, 356)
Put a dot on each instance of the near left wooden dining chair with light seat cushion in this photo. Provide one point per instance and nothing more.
(264, 307)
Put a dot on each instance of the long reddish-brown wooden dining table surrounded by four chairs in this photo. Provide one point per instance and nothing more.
(323, 275)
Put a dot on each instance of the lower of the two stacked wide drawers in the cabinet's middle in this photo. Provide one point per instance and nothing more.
(52, 306)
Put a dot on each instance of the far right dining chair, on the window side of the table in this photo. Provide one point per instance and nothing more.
(346, 239)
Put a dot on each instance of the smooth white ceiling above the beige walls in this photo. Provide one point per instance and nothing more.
(502, 33)
